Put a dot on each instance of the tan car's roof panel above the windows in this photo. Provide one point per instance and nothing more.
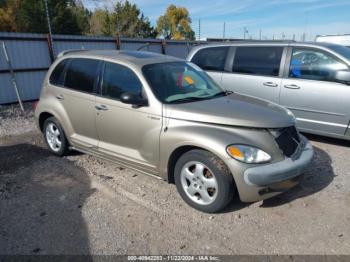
(137, 58)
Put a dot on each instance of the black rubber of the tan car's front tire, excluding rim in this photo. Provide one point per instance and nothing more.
(223, 177)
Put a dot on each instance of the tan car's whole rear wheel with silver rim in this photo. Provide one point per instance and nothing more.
(55, 137)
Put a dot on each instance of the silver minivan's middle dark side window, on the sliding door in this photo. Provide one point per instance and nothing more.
(258, 60)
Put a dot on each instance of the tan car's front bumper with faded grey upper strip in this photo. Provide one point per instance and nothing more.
(265, 181)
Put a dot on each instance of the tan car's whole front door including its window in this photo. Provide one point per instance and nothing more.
(128, 134)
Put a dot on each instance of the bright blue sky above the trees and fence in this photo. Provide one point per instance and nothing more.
(275, 18)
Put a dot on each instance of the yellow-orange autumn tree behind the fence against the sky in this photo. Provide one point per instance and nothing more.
(175, 24)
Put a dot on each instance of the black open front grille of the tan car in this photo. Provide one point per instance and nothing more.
(288, 140)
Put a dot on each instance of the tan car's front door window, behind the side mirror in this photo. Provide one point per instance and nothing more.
(118, 79)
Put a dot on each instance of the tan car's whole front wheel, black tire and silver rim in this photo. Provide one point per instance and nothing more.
(204, 181)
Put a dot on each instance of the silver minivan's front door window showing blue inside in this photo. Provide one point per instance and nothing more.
(314, 65)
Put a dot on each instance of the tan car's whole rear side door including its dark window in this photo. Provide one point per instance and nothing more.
(76, 92)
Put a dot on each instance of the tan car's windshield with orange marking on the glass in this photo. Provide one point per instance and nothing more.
(180, 82)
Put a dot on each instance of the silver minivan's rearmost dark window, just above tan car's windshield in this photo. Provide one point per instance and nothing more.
(211, 58)
